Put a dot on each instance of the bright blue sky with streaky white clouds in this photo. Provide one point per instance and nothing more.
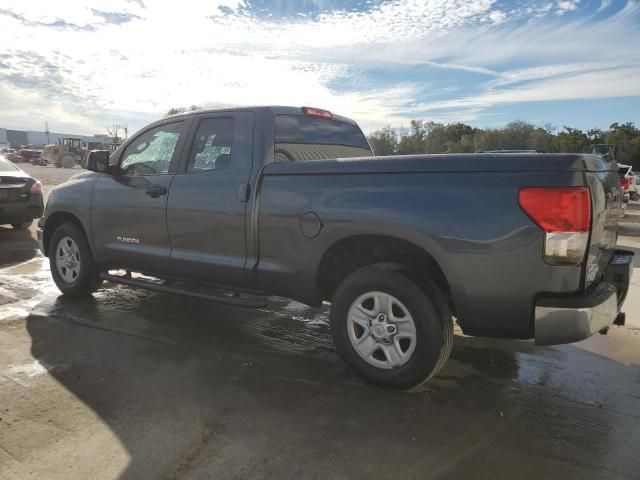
(82, 65)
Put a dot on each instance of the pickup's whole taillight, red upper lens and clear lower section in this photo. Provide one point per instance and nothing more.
(564, 213)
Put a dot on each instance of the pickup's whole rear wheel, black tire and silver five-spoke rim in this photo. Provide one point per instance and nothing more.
(390, 330)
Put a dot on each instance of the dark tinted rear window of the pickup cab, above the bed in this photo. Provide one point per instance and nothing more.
(303, 138)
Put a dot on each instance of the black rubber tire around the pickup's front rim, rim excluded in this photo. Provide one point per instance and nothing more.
(88, 279)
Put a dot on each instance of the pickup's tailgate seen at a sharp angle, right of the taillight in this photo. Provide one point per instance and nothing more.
(606, 203)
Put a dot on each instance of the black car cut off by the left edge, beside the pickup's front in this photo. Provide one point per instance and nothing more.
(20, 196)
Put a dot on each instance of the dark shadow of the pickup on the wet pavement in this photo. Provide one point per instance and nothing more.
(193, 389)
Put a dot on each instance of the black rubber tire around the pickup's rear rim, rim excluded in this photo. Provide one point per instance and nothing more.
(432, 318)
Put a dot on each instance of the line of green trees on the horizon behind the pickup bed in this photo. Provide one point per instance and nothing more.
(431, 137)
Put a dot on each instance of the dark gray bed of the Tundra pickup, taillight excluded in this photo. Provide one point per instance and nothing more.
(462, 209)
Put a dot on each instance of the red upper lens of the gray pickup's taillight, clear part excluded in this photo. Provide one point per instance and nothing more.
(557, 209)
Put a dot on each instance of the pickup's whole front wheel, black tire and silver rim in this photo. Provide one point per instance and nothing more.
(72, 266)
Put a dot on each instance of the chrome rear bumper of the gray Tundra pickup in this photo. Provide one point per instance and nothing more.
(571, 319)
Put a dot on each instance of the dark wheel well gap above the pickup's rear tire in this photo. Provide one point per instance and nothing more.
(350, 254)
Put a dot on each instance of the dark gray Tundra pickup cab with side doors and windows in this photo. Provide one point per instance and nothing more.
(176, 201)
